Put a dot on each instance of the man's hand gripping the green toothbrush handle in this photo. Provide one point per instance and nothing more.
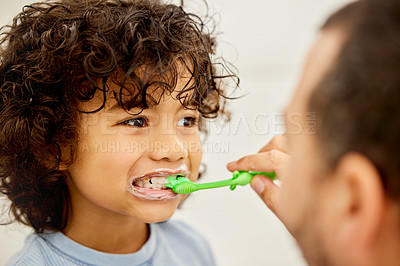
(271, 158)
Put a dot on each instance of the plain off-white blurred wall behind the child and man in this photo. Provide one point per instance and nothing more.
(267, 40)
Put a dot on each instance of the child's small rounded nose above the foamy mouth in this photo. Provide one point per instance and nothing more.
(168, 148)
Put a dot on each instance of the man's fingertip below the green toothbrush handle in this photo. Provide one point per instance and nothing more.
(268, 192)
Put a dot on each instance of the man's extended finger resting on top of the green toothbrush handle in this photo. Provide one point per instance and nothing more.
(270, 161)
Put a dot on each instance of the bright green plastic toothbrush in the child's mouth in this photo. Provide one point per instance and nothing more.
(182, 185)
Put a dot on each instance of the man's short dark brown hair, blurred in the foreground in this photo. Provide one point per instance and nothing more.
(357, 102)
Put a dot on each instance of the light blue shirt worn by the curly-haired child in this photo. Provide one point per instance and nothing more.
(170, 243)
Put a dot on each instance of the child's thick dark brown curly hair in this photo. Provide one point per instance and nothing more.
(55, 54)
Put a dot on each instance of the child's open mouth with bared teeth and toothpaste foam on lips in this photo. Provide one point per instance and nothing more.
(150, 186)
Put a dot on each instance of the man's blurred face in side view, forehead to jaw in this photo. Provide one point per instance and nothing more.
(305, 199)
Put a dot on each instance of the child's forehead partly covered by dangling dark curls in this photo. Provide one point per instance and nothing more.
(144, 89)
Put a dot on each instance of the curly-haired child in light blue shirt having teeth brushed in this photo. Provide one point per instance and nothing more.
(100, 101)
